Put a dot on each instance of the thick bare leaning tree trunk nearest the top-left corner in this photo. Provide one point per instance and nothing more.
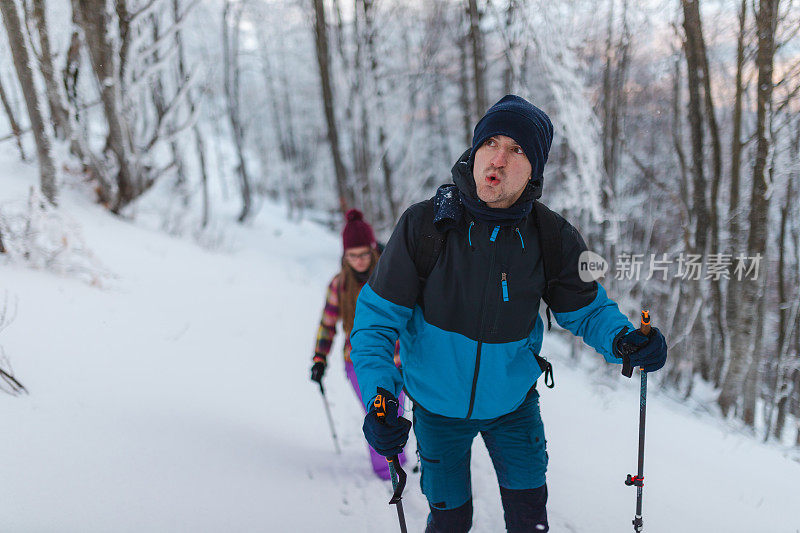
(19, 51)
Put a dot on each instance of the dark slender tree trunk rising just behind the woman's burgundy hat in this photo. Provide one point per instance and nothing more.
(324, 64)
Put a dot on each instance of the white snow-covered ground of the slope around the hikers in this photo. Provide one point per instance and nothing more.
(175, 397)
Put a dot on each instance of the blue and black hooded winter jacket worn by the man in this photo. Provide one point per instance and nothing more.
(468, 334)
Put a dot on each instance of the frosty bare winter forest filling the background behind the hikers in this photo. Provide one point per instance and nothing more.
(676, 150)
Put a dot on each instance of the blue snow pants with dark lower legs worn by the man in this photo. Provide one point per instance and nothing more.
(517, 447)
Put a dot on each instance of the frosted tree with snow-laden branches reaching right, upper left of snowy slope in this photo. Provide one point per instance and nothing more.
(121, 71)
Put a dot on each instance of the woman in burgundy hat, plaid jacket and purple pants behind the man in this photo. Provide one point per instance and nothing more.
(358, 261)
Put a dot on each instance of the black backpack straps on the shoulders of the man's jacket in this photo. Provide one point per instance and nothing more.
(431, 242)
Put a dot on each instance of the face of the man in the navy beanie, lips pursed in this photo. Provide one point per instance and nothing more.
(501, 171)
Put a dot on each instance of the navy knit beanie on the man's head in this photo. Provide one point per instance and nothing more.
(519, 119)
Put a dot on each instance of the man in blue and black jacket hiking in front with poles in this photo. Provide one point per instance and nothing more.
(469, 329)
